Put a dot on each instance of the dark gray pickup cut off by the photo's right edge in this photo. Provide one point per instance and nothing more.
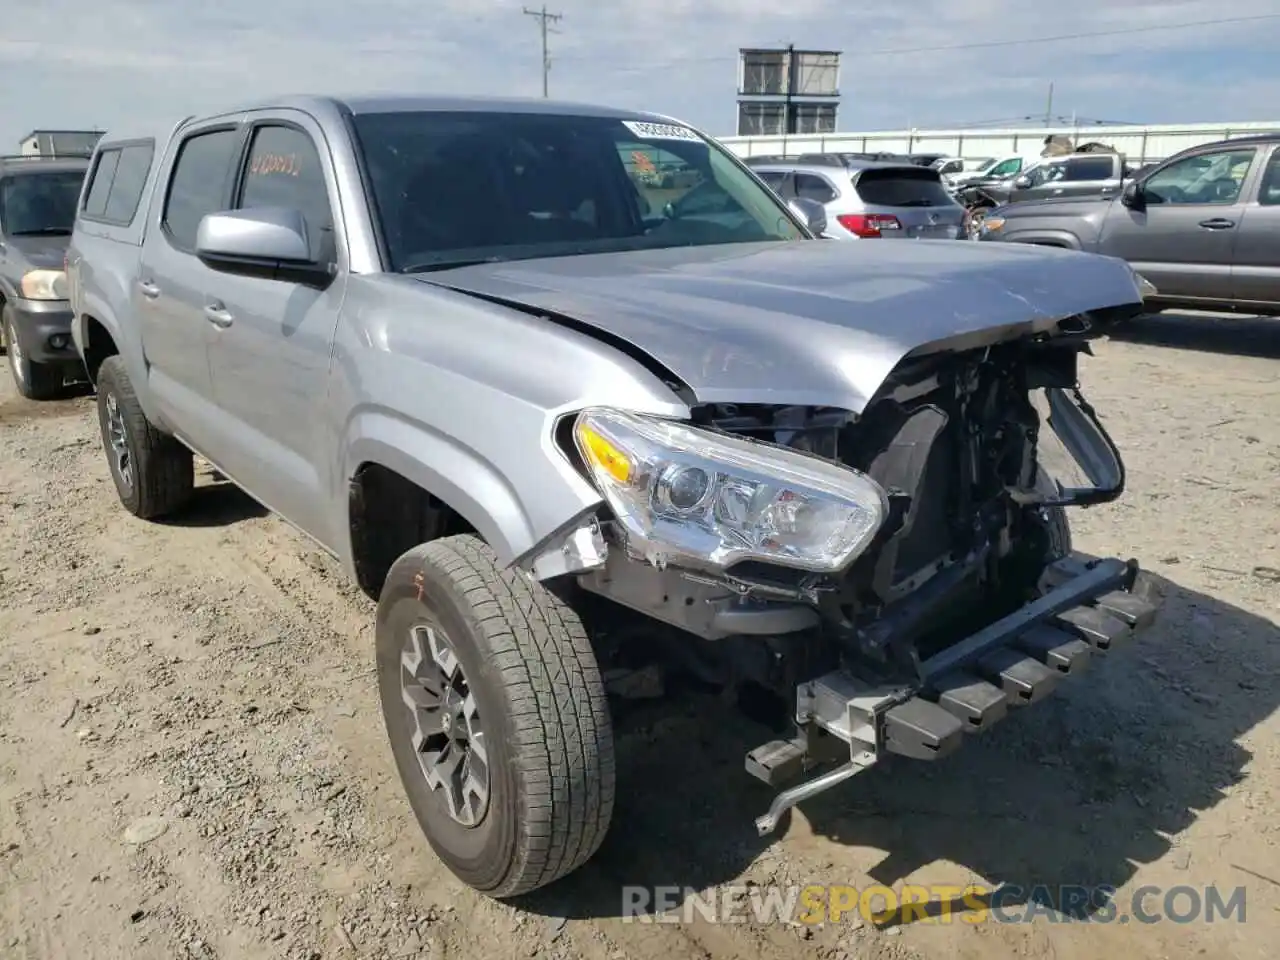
(1203, 227)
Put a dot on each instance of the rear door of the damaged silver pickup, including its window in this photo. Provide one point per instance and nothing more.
(172, 285)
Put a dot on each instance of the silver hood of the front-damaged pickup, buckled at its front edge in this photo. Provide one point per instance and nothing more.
(813, 323)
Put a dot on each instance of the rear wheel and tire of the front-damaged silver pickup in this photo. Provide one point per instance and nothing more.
(154, 474)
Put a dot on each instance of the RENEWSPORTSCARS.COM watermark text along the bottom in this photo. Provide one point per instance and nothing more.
(885, 907)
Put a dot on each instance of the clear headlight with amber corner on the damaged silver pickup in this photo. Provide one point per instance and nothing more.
(710, 501)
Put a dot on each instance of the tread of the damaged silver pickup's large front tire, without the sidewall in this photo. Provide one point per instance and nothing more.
(564, 739)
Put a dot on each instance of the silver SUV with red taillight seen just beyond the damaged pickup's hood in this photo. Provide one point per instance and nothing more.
(867, 200)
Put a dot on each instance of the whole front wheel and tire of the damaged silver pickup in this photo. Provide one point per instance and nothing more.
(497, 717)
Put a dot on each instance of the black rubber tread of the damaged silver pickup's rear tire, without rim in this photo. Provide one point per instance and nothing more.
(164, 470)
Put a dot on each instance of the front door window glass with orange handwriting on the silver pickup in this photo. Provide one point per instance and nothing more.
(285, 171)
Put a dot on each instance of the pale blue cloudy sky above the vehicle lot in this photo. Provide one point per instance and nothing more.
(129, 65)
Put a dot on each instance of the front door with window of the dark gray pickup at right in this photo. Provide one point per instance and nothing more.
(1183, 240)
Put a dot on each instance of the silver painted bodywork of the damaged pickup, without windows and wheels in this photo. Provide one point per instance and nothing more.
(461, 395)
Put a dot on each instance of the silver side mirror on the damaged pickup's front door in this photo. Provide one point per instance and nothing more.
(268, 243)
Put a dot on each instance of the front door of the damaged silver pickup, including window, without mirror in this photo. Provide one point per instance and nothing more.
(271, 350)
